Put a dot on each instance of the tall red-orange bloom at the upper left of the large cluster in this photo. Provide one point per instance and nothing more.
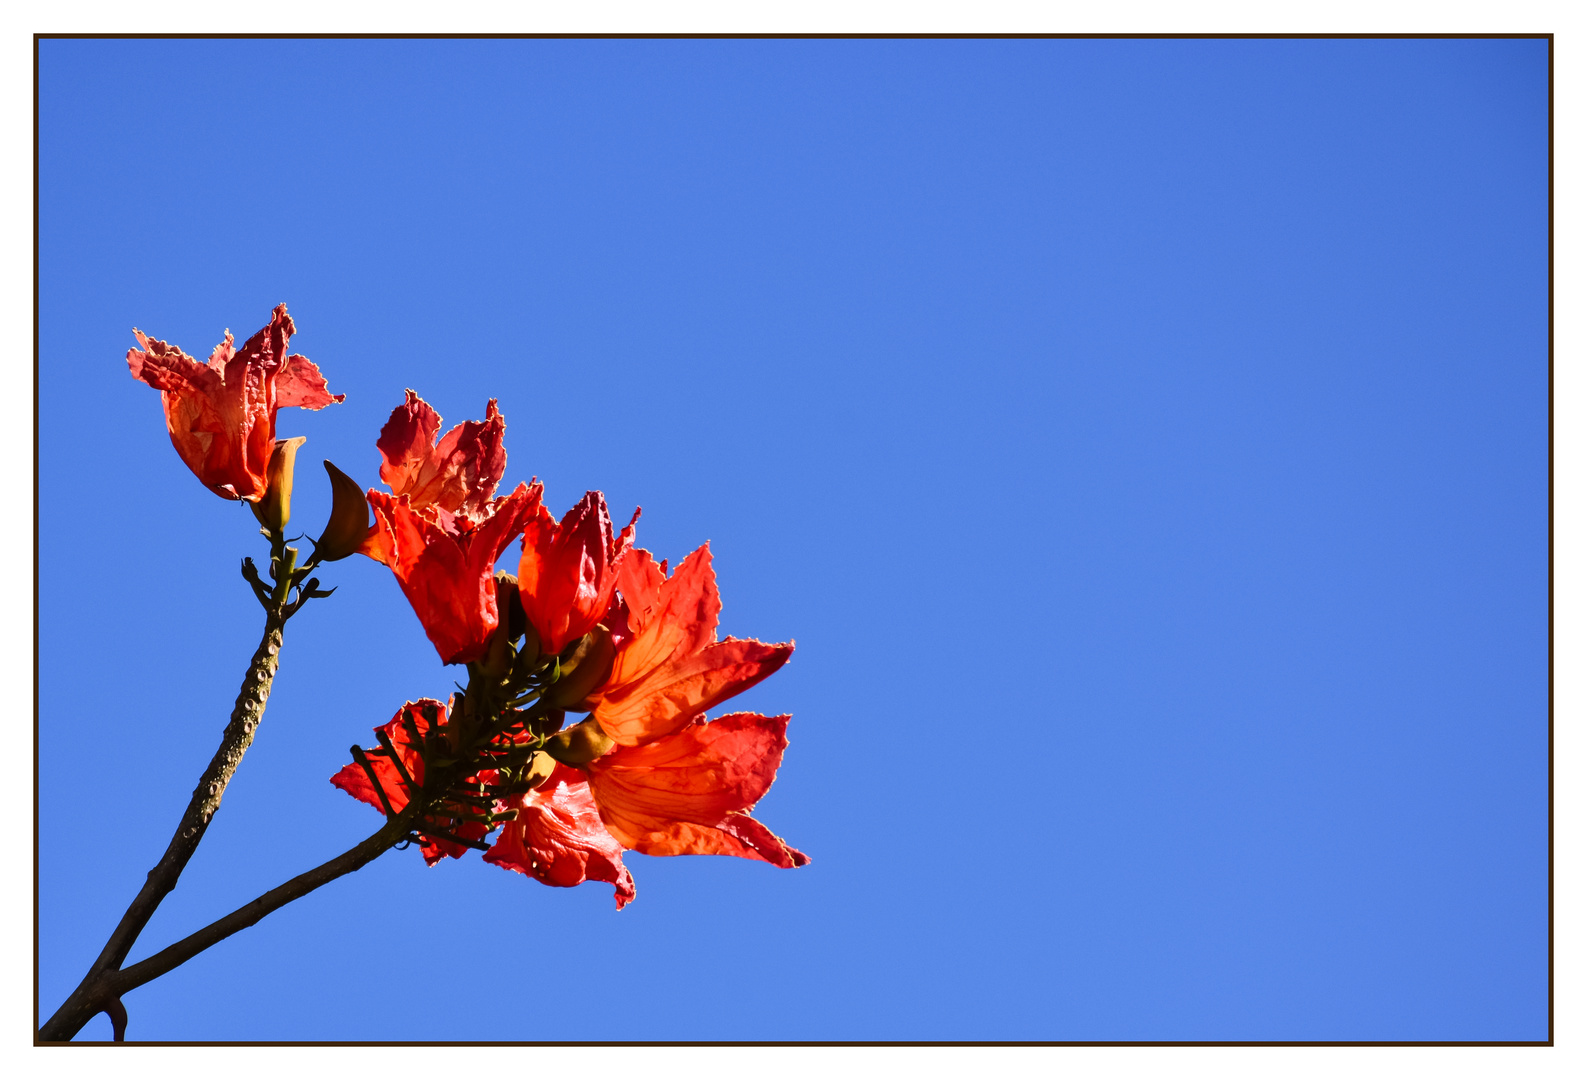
(440, 530)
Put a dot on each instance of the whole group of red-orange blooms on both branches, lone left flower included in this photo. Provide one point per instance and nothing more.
(590, 624)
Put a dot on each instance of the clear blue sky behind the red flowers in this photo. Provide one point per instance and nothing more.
(1145, 443)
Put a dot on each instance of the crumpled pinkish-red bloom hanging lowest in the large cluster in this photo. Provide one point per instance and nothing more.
(559, 840)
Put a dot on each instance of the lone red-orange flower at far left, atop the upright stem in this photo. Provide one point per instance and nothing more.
(223, 413)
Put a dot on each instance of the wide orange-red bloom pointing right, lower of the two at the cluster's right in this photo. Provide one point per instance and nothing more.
(690, 794)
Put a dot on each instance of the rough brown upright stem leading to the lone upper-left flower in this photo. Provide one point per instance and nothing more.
(98, 992)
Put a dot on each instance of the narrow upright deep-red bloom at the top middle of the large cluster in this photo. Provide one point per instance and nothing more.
(569, 570)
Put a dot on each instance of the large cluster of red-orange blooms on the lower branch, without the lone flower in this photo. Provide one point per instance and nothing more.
(647, 772)
